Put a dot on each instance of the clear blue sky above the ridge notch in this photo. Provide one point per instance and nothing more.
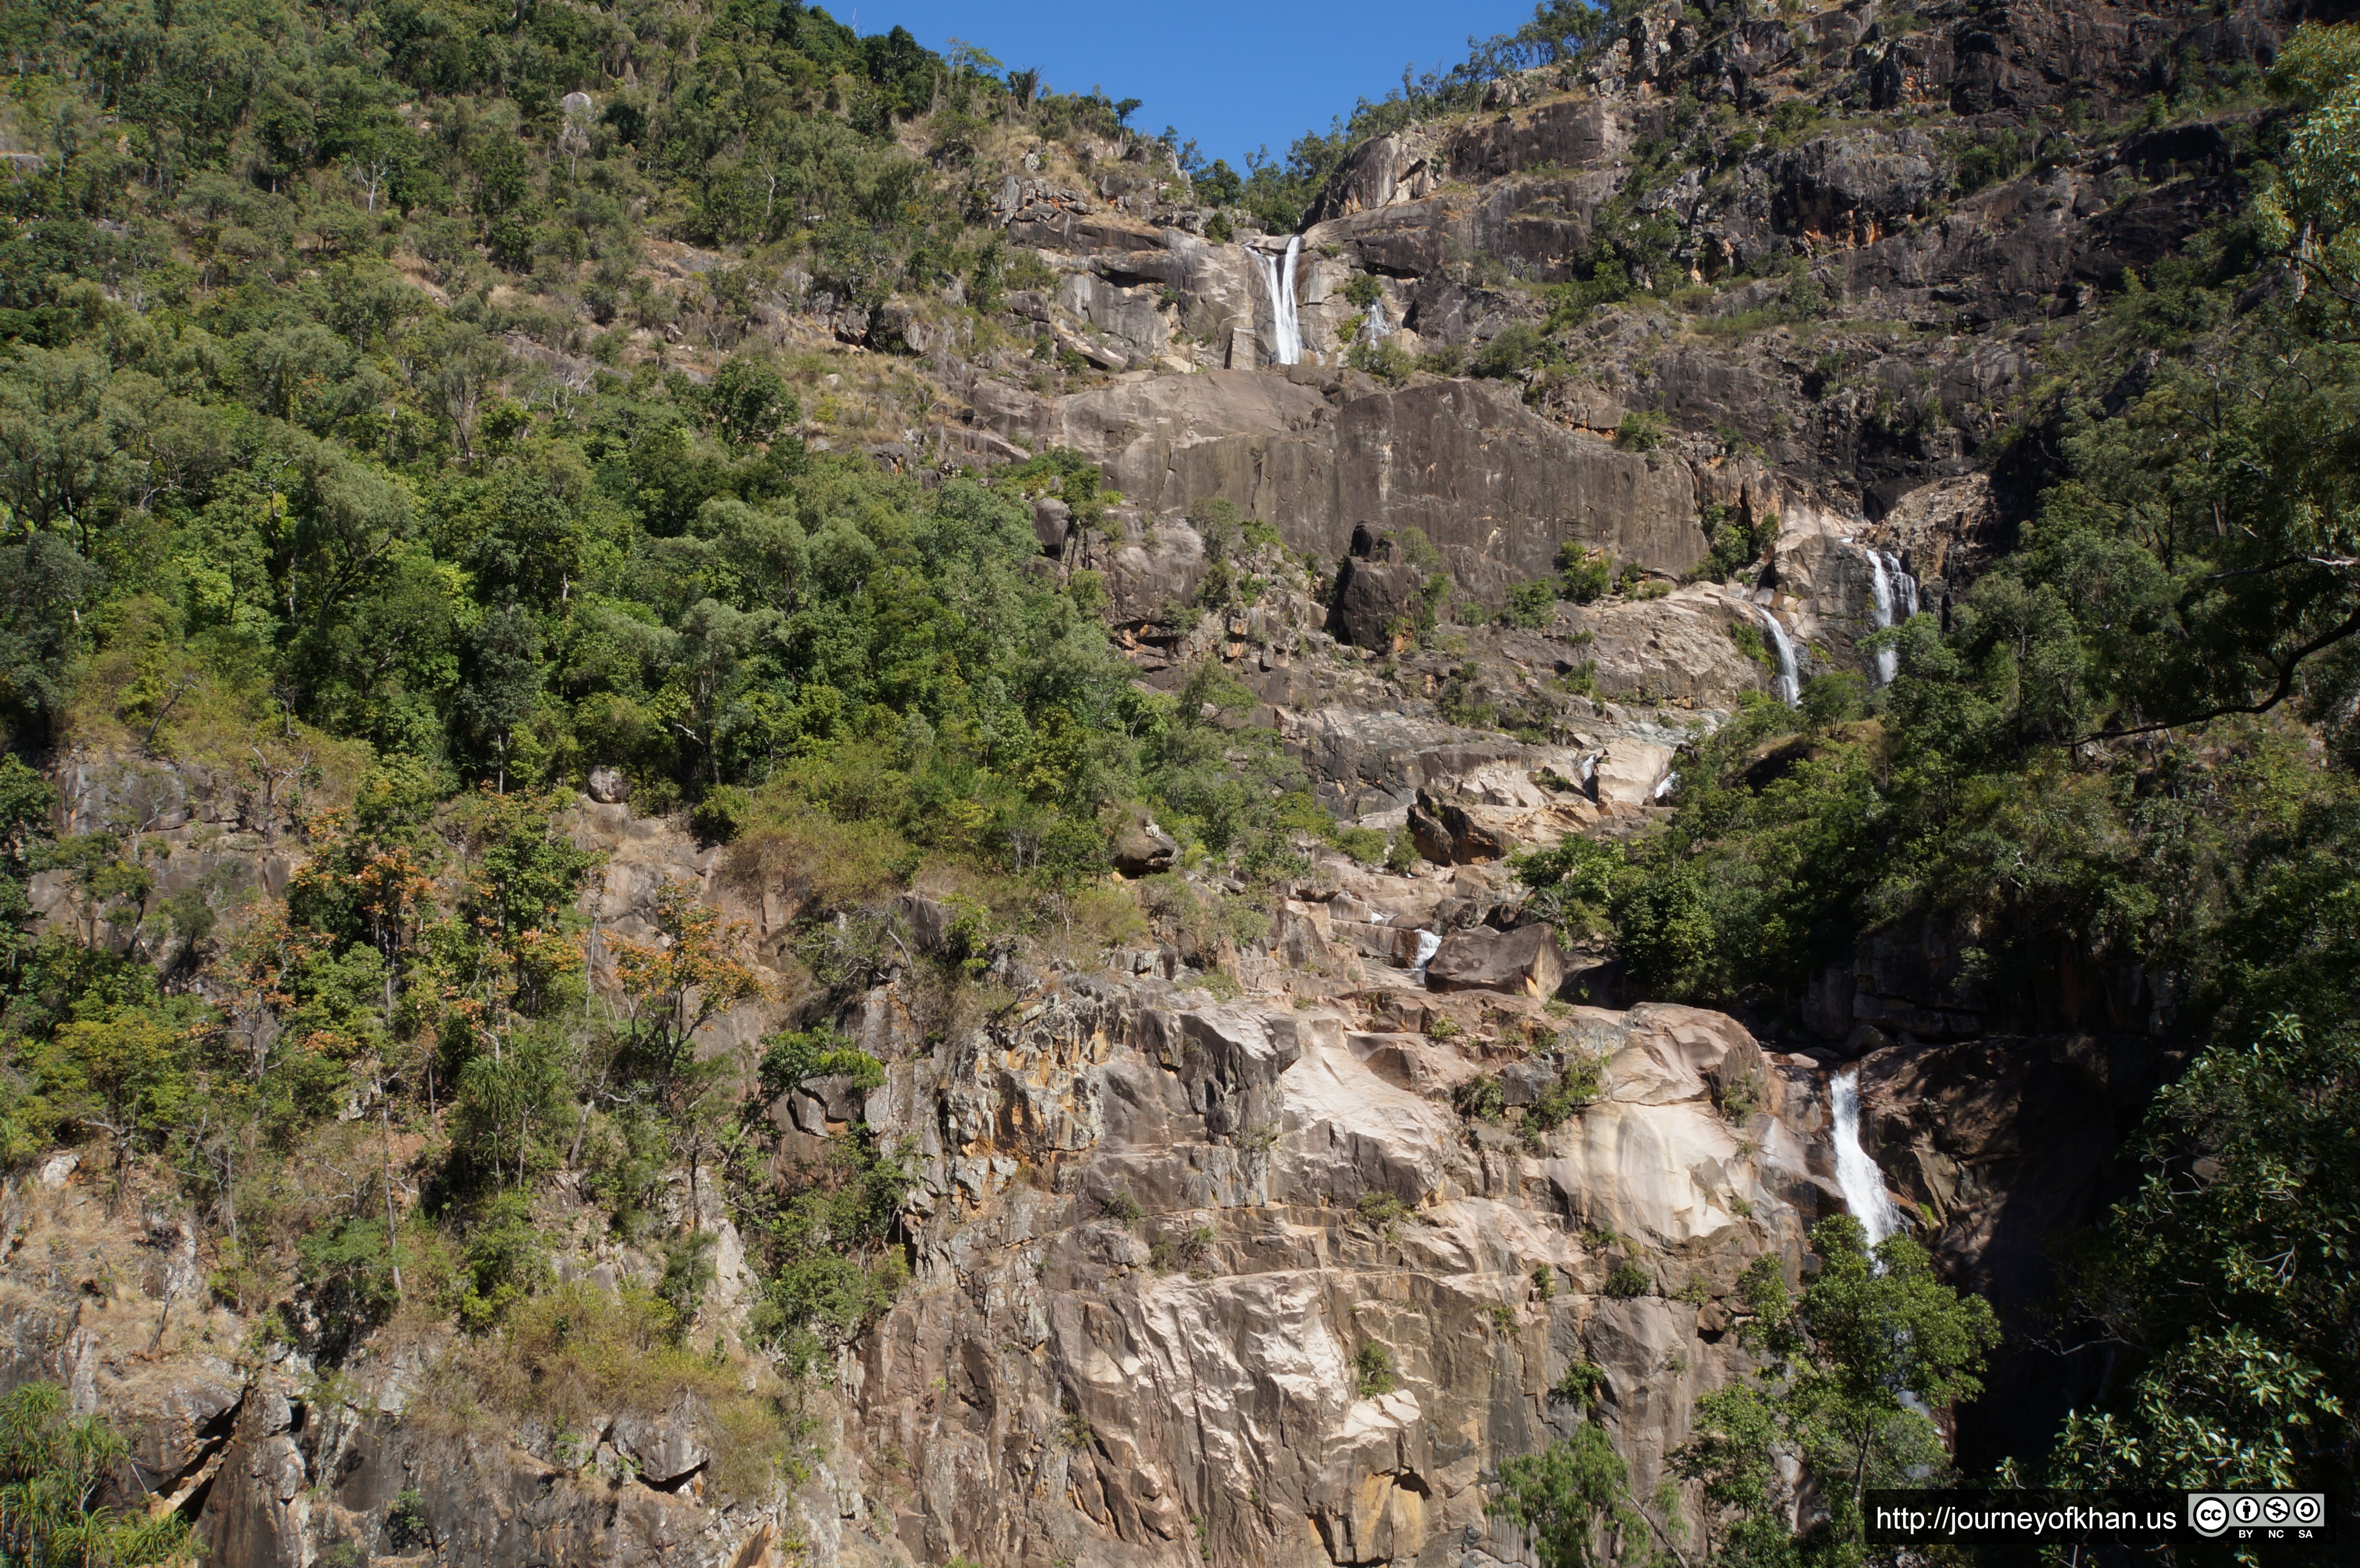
(1226, 72)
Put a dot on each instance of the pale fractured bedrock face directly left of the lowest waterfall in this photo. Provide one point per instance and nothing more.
(1306, 1191)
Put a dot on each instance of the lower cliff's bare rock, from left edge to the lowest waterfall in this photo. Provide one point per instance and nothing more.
(1193, 1279)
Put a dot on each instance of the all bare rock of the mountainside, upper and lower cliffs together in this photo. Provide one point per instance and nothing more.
(1209, 1257)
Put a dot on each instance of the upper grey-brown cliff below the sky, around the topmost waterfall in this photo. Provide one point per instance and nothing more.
(1875, 285)
